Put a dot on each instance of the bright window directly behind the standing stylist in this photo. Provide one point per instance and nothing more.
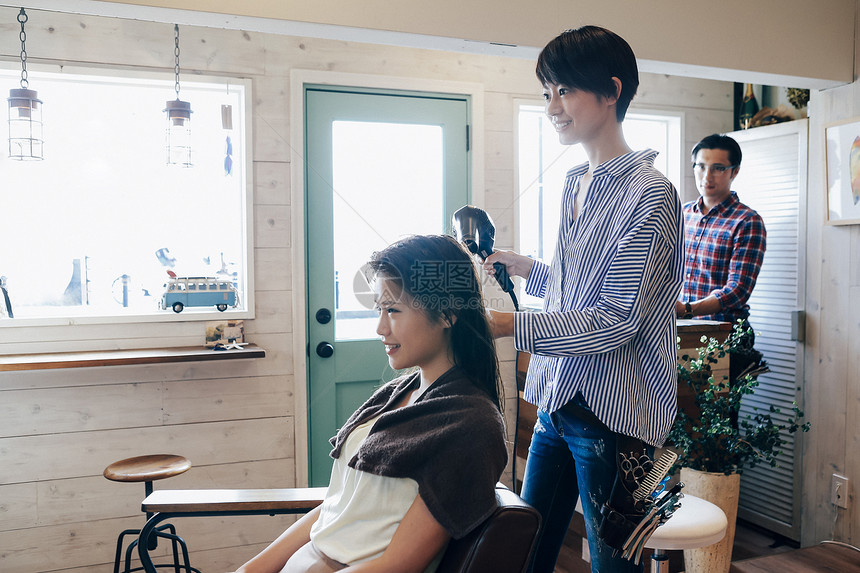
(543, 163)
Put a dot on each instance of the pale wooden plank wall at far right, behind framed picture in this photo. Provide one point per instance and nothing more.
(832, 389)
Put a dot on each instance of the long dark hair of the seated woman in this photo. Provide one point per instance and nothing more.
(440, 277)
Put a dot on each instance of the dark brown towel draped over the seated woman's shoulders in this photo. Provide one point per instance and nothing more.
(451, 441)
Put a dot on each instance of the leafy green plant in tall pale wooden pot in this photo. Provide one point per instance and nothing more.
(715, 444)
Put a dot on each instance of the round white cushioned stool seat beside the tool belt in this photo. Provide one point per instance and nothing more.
(697, 523)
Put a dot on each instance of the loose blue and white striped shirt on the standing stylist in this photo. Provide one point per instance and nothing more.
(607, 329)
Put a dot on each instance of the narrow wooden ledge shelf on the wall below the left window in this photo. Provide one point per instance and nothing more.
(53, 360)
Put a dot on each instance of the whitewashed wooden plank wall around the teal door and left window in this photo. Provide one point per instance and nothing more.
(235, 420)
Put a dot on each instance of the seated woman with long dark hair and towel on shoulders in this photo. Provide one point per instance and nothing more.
(416, 464)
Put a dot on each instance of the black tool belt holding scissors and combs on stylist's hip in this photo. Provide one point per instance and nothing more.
(639, 503)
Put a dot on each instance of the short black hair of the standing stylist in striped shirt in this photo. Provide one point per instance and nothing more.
(587, 59)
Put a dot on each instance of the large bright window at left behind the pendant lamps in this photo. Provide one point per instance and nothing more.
(93, 231)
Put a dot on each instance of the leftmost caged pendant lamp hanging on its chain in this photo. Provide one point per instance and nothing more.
(25, 111)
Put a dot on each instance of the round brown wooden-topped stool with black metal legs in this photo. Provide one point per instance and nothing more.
(148, 469)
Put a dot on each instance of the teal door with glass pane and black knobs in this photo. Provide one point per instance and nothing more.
(378, 166)
